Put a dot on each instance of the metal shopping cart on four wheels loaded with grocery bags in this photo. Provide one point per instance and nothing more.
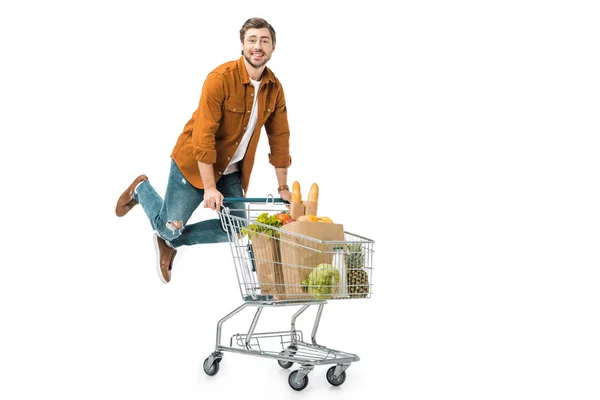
(276, 267)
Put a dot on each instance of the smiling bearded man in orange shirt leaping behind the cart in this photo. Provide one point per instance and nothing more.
(214, 155)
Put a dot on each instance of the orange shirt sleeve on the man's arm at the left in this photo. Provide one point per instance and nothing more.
(208, 118)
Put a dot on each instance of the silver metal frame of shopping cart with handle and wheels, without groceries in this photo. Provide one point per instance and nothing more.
(293, 347)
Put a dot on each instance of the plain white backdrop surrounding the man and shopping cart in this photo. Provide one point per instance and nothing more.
(460, 136)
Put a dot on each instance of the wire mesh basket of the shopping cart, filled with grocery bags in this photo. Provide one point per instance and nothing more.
(278, 265)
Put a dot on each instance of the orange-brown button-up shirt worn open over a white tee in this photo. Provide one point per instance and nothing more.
(216, 128)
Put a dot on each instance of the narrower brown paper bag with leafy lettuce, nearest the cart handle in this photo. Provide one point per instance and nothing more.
(268, 265)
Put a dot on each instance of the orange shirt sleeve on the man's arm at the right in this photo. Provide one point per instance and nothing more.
(278, 132)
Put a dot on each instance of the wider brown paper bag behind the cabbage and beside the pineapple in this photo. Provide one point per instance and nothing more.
(301, 251)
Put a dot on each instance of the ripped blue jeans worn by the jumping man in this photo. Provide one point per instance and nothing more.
(181, 200)
